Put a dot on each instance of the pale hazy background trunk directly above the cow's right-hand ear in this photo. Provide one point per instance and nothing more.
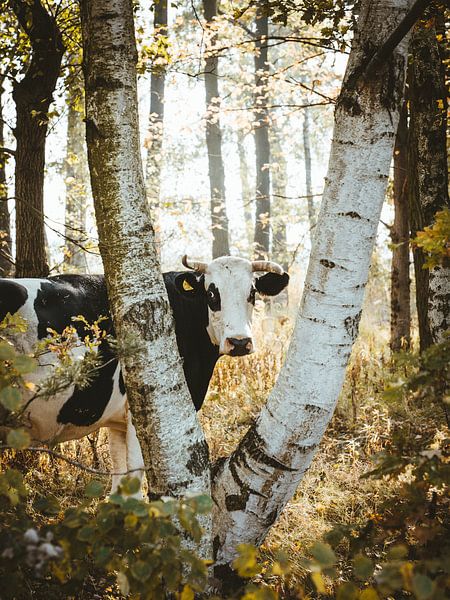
(280, 217)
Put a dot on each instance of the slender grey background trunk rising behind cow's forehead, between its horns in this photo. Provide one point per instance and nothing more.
(219, 220)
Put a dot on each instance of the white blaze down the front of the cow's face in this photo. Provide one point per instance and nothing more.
(233, 277)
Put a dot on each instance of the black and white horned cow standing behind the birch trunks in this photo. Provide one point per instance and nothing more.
(212, 306)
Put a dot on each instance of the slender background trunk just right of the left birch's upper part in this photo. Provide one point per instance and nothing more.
(154, 162)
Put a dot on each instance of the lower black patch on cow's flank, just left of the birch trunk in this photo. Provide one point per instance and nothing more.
(87, 405)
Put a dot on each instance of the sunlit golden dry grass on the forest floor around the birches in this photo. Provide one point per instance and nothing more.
(333, 490)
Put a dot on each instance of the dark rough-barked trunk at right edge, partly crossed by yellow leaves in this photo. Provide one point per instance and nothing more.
(428, 184)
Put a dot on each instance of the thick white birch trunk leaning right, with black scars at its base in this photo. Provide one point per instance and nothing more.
(254, 484)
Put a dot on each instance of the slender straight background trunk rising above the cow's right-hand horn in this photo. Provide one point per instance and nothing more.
(262, 145)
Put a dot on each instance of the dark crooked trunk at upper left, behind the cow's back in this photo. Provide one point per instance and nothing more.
(33, 96)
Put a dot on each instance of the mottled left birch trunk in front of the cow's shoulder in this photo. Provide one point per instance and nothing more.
(172, 442)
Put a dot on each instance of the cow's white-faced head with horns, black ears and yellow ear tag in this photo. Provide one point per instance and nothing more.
(230, 288)
